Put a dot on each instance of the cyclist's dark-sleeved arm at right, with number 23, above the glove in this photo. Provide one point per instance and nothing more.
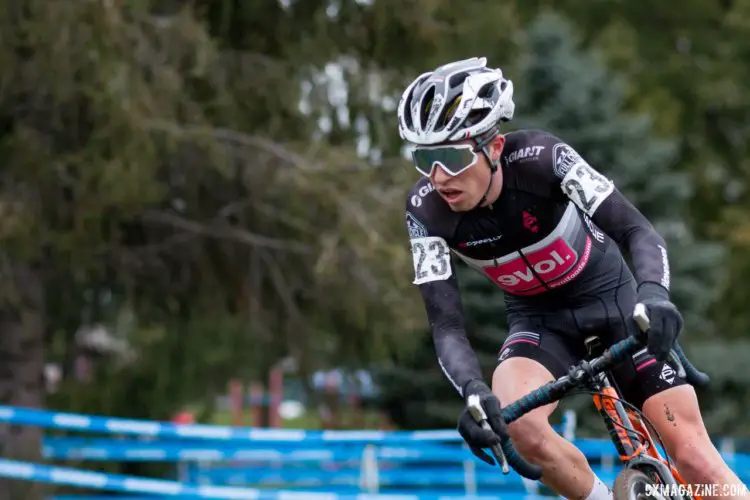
(609, 209)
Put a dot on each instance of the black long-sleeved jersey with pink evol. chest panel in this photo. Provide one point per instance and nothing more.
(551, 240)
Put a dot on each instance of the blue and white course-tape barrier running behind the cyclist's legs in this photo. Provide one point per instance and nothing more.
(228, 462)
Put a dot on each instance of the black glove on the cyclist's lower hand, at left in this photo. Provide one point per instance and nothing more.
(476, 437)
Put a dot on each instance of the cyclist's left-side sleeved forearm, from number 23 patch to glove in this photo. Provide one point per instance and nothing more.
(456, 358)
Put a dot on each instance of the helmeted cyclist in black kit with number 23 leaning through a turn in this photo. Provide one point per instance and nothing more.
(527, 211)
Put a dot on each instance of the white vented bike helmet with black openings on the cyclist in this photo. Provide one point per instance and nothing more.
(457, 101)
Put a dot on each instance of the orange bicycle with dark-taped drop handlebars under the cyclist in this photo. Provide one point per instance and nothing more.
(644, 467)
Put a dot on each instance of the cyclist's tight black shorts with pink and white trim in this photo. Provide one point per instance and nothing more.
(555, 338)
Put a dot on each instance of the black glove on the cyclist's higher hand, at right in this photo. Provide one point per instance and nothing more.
(665, 320)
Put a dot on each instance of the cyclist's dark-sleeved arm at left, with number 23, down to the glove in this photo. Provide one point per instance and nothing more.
(433, 274)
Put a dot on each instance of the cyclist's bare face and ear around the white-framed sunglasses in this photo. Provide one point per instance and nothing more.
(463, 191)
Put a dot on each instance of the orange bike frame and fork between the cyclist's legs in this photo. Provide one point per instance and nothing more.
(628, 431)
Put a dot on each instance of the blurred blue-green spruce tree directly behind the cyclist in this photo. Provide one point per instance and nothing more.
(564, 90)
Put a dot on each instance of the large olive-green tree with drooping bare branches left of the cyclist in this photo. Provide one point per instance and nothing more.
(163, 183)
